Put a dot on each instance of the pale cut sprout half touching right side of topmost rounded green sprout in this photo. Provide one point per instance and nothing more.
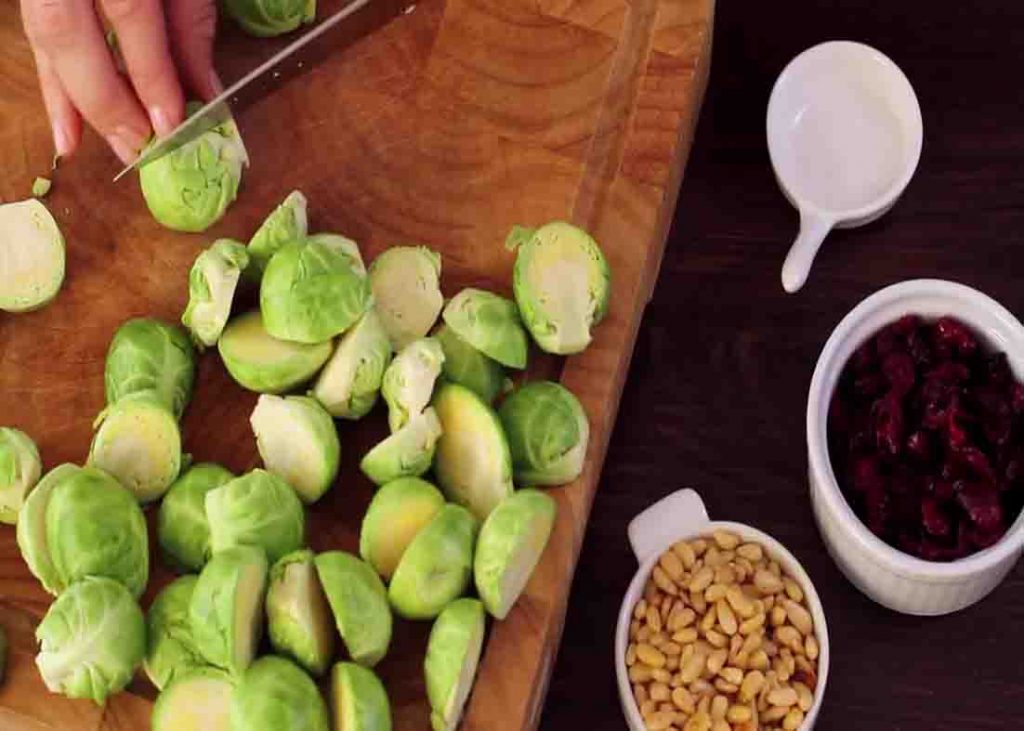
(406, 282)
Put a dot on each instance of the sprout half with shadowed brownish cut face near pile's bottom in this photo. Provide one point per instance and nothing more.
(297, 614)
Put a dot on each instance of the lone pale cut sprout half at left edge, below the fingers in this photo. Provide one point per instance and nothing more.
(32, 256)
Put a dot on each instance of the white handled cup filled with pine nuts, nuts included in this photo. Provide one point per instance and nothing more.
(721, 629)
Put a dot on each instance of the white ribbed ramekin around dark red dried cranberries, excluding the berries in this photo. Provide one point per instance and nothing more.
(891, 578)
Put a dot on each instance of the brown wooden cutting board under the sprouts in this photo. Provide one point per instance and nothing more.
(443, 124)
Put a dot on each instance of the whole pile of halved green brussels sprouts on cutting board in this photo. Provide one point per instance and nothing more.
(346, 335)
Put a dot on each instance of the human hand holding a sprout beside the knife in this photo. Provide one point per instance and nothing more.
(165, 45)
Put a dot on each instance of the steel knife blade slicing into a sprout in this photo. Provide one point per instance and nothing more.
(217, 111)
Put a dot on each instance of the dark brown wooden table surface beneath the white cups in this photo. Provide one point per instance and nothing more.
(717, 395)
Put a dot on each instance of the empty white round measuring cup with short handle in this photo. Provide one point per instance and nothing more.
(844, 136)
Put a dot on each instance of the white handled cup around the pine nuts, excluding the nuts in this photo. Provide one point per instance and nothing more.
(682, 517)
